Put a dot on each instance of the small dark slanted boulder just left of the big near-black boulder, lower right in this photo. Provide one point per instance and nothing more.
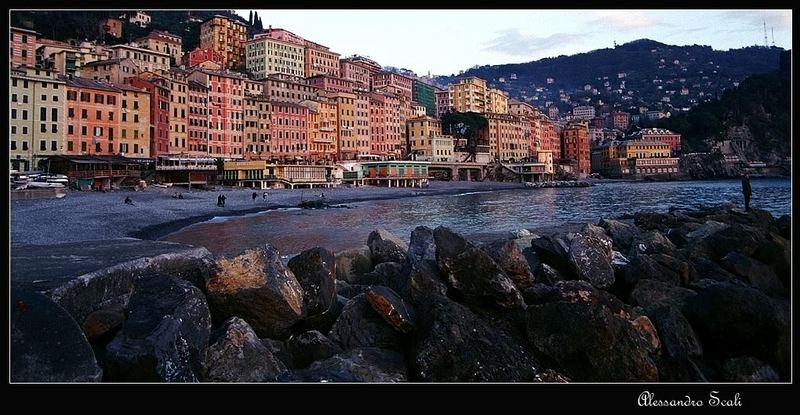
(677, 337)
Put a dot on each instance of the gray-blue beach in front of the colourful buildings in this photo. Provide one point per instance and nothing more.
(84, 216)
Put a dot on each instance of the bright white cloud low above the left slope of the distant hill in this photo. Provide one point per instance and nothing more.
(512, 42)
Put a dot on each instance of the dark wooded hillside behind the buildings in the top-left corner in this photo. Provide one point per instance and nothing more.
(61, 25)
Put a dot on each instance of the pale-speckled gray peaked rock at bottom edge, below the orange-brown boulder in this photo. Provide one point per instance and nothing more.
(237, 355)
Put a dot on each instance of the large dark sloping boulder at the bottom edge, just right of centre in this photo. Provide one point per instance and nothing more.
(453, 345)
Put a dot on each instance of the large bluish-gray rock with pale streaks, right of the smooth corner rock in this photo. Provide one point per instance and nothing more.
(165, 335)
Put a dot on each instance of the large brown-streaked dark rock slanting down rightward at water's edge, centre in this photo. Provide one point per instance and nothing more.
(474, 273)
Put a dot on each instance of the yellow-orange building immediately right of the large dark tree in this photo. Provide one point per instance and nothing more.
(507, 140)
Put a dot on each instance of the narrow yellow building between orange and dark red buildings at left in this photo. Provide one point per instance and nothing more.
(134, 134)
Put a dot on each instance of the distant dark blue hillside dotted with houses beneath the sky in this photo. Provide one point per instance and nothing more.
(642, 73)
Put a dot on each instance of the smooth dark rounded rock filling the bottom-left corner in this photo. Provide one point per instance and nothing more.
(47, 345)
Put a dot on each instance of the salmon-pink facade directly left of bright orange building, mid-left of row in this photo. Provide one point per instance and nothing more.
(289, 131)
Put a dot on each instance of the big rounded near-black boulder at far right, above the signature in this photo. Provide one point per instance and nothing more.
(732, 321)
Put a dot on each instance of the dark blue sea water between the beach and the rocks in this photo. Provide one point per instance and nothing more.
(481, 215)
